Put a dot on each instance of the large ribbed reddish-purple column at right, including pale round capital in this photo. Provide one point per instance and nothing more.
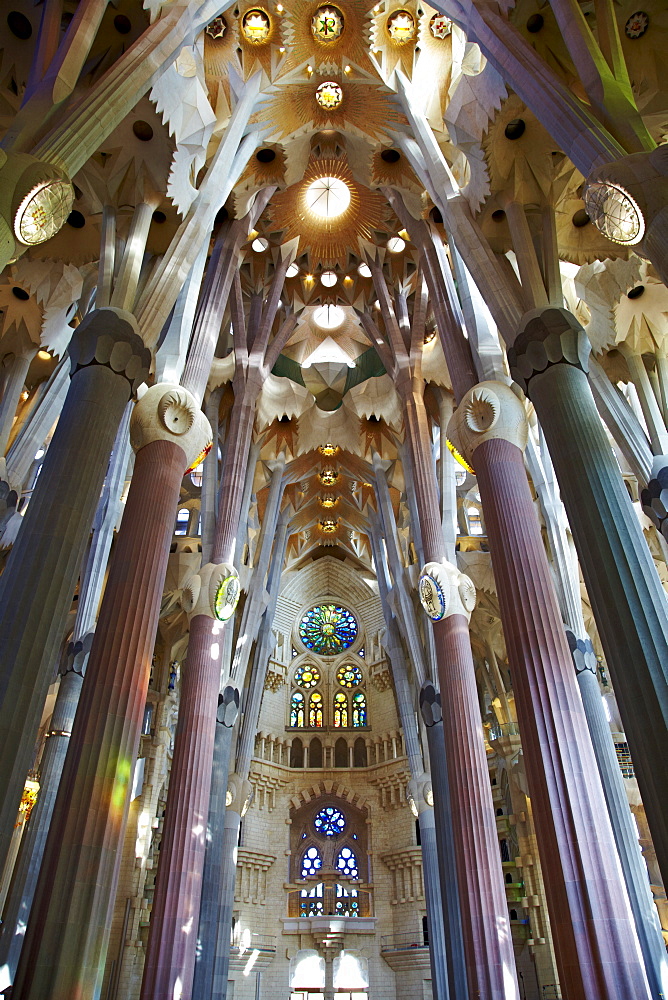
(594, 937)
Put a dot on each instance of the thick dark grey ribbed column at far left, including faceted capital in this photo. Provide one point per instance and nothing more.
(36, 588)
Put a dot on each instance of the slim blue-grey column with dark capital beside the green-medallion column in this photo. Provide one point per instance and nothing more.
(214, 862)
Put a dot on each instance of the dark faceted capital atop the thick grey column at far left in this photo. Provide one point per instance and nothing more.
(110, 337)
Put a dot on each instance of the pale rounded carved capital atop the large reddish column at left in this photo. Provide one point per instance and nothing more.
(170, 413)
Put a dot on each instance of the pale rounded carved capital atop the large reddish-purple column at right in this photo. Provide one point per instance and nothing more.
(488, 411)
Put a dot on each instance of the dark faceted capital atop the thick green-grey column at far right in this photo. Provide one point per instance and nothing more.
(547, 337)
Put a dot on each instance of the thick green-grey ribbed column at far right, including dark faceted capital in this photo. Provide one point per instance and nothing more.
(549, 360)
